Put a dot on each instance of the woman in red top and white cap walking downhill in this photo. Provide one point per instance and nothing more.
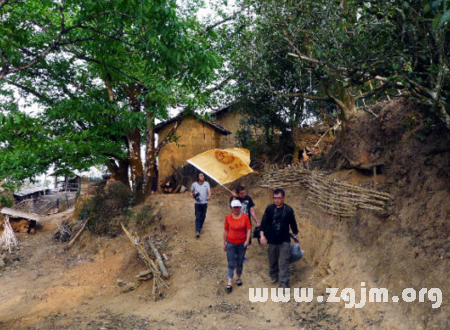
(236, 238)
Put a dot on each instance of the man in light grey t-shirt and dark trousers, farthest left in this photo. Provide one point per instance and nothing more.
(201, 192)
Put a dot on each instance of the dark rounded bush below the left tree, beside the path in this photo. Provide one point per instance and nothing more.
(107, 208)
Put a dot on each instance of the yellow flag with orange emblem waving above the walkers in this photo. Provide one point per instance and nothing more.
(223, 165)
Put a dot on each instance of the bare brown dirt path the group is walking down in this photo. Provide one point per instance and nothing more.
(49, 289)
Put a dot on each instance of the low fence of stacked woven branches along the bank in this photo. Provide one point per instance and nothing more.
(332, 197)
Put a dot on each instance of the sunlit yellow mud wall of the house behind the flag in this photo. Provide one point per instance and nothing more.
(194, 137)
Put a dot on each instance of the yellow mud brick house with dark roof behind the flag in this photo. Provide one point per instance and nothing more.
(195, 135)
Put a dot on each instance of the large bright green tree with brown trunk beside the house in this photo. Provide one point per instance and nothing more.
(108, 90)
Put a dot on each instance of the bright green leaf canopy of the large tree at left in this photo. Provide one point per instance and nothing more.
(116, 69)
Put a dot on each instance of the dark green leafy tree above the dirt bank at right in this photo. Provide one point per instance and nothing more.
(361, 49)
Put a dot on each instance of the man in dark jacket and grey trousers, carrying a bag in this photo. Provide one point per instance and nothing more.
(277, 219)
